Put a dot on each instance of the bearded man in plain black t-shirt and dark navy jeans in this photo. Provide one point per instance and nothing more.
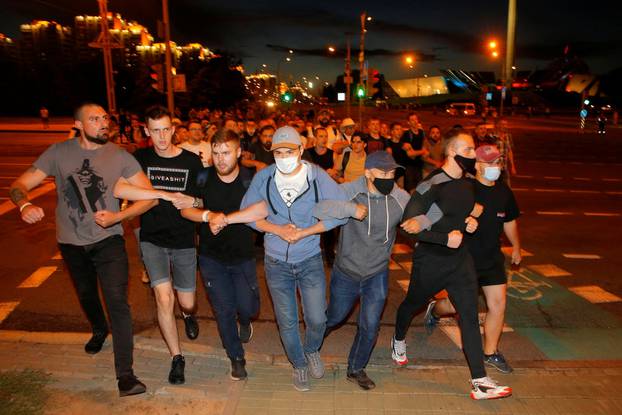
(226, 253)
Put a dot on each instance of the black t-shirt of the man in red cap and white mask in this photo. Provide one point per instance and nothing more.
(499, 207)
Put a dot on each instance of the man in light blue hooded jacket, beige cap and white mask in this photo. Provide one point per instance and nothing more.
(293, 260)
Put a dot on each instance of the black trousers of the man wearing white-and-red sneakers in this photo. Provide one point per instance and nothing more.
(456, 274)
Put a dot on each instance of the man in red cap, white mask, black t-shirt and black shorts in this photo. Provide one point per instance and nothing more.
(500, 212)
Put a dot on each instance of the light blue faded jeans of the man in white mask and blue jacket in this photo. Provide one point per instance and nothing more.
(283, 279)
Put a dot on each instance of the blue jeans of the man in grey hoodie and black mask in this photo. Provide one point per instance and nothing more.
(344, 291)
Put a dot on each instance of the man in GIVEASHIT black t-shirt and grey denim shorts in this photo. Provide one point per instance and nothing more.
(166, 238)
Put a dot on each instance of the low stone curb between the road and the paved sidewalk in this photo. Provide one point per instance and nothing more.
(193, 349)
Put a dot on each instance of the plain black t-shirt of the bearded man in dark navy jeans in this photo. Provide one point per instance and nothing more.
(234, 243)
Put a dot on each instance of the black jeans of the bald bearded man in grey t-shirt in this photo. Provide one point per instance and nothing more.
(107, 261)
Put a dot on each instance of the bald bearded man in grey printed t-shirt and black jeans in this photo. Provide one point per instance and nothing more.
(90, 175)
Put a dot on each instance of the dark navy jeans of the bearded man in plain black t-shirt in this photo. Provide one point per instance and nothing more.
(232, 290)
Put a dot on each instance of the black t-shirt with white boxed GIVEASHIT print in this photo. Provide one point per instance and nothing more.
(163, 224)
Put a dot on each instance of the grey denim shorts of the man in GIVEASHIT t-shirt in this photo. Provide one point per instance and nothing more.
(161, 261)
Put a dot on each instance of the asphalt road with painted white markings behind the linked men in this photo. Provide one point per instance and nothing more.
(569, 189)
